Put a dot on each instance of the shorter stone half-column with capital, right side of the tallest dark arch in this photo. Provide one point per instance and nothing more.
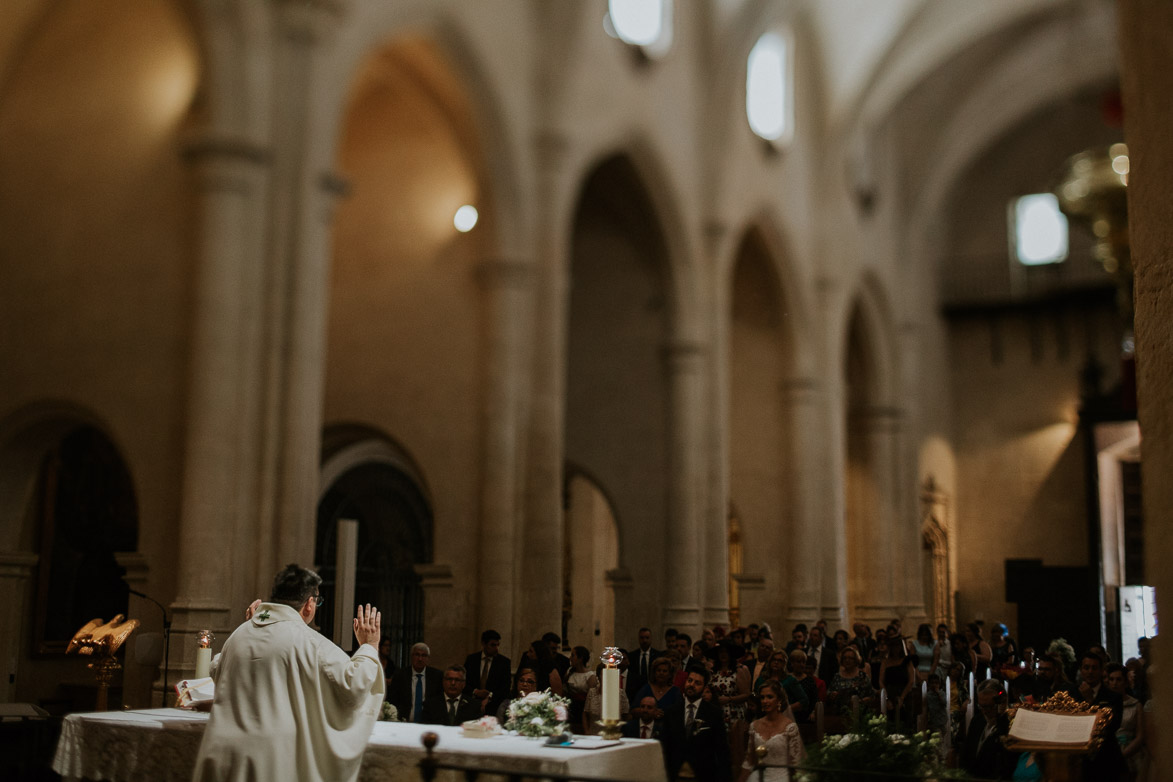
(684, 567)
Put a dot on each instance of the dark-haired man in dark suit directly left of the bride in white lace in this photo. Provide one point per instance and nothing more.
(695, 733)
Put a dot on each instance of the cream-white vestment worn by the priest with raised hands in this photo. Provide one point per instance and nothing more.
(290, 705)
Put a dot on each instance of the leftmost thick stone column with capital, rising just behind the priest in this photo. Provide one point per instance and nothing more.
(230, 176)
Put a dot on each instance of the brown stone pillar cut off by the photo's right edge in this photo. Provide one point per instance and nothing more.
(1147, 76)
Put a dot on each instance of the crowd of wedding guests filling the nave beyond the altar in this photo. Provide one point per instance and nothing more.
(749, 691)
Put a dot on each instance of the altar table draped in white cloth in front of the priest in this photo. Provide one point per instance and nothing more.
(161, 746)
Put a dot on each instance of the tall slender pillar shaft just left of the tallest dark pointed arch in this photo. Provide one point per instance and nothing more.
(539, 604)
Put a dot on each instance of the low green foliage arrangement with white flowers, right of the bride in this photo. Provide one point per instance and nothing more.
(871, 747)
